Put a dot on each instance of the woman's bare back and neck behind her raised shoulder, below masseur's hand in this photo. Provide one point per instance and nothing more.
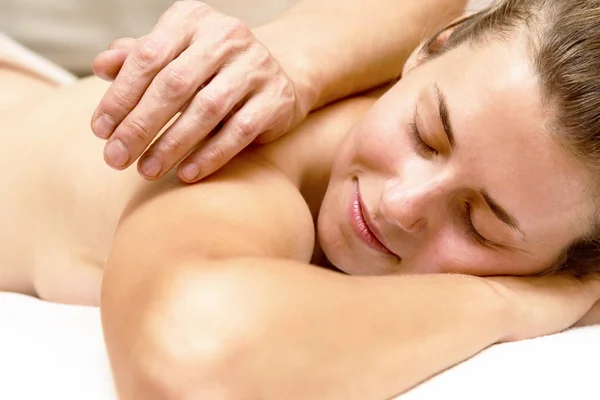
(61, 204)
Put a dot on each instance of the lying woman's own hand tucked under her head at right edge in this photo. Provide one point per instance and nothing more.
(549, 304)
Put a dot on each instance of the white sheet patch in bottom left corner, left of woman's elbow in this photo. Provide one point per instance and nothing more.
(51, 351)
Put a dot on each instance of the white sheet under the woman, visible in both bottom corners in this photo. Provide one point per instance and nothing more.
(57, 352)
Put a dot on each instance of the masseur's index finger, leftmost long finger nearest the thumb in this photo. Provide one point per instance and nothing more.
(166, 41)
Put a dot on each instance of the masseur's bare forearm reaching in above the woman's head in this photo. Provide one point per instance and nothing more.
(341, 47)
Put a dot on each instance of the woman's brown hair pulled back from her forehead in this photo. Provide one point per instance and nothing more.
(564, 39)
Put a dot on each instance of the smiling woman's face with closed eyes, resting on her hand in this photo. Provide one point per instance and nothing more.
(454, 170)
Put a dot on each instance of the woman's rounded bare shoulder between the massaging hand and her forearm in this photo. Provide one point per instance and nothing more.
(246, 209)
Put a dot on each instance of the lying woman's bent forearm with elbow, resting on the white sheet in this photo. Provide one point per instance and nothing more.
(274, 329)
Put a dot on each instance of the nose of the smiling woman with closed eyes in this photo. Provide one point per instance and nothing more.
(415, 204)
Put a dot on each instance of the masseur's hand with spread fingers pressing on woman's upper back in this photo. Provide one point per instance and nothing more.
(209, 66)
